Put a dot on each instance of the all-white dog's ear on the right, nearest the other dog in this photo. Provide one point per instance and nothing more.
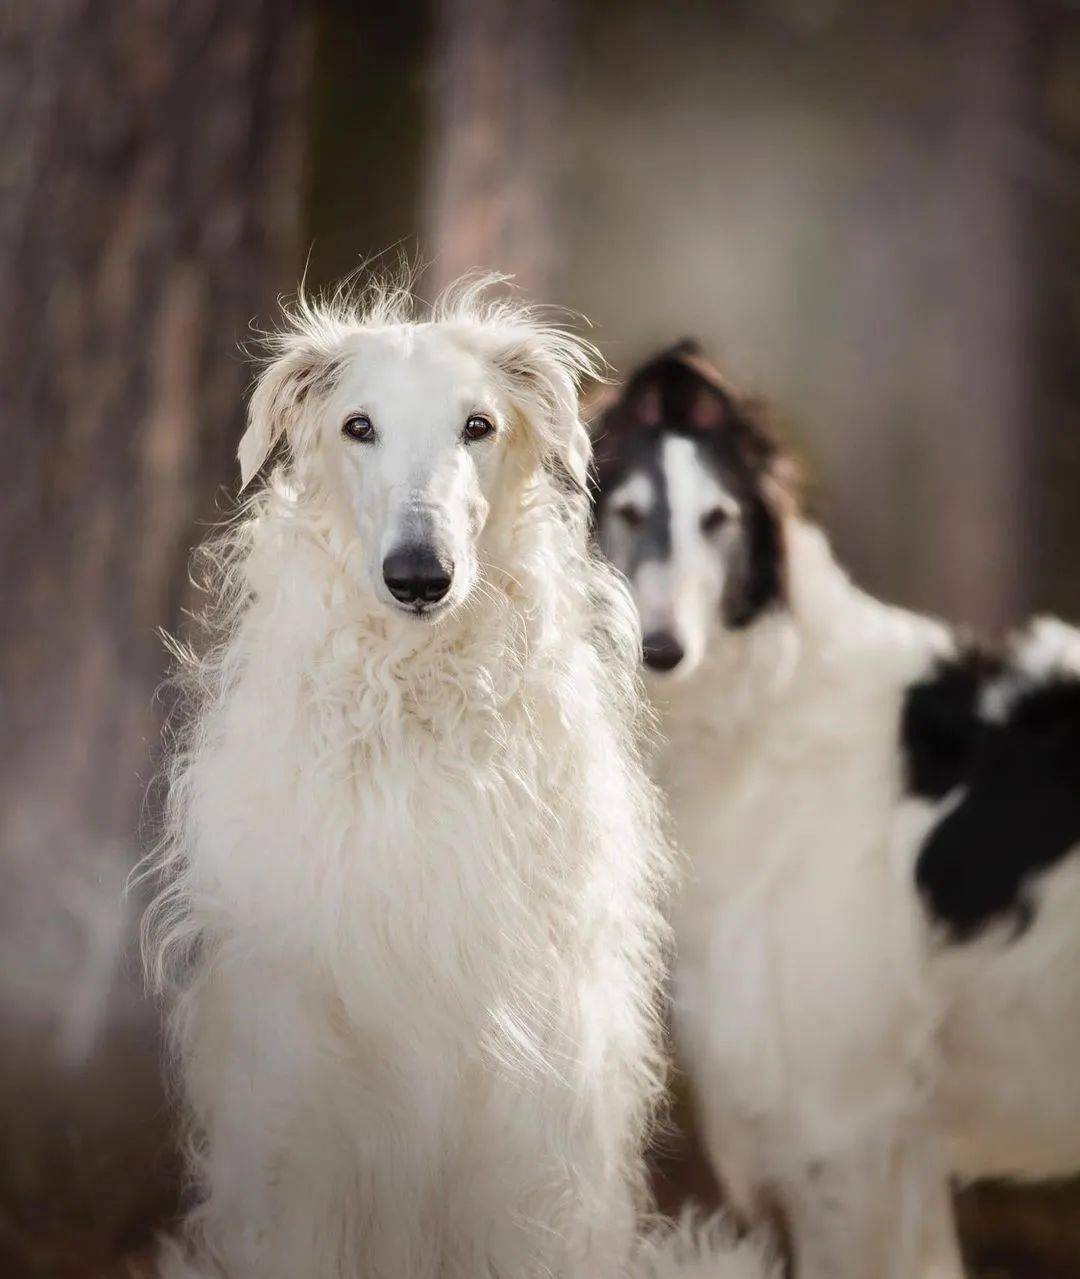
(543, 368)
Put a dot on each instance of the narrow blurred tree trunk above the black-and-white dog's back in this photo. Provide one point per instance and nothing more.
(982, 466)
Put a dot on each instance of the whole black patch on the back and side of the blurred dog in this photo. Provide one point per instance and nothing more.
(1019, 813)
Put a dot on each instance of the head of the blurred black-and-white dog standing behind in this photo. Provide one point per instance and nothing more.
(690, 507)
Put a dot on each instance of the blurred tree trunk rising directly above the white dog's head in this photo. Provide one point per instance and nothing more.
(498, 93)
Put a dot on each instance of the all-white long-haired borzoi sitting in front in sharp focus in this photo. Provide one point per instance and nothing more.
(413, 865)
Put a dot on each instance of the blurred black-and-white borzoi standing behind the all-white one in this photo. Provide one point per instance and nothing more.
(878, 948)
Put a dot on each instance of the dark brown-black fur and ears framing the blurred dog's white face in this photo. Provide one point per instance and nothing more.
(680, 395)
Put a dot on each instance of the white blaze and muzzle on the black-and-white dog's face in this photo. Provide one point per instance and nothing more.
(680, 595)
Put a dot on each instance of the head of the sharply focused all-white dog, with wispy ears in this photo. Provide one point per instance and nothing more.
(423, 434)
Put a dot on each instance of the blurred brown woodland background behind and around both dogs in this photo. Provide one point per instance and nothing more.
(868, 209)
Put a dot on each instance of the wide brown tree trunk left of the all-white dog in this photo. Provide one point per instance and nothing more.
(152, 184)
